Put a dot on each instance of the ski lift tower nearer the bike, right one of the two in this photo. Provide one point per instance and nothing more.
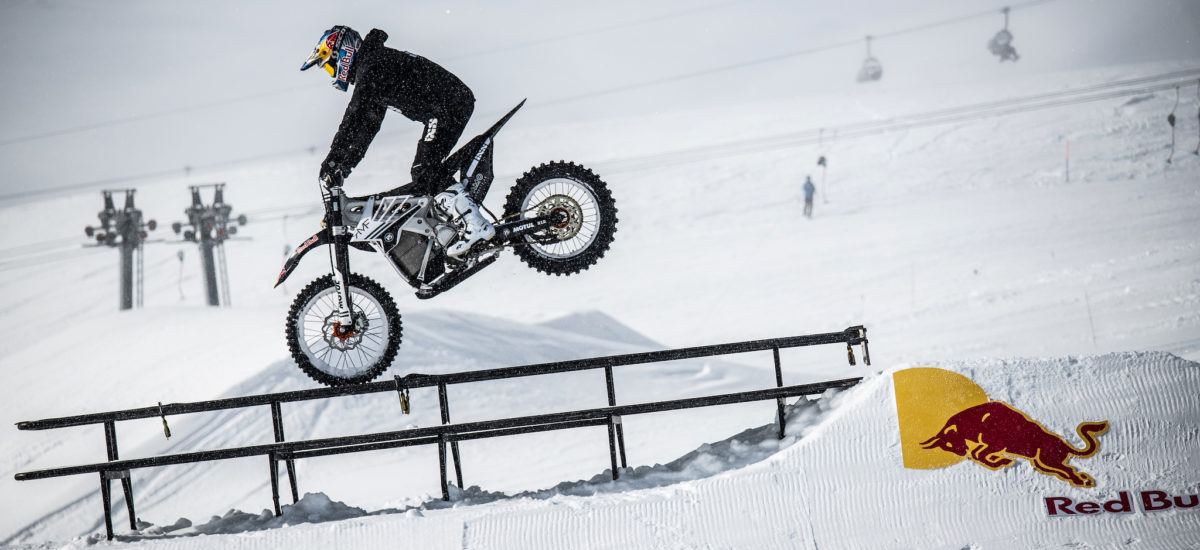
(209, 225)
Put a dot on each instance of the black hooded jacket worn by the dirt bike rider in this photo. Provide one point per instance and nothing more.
(383, 77)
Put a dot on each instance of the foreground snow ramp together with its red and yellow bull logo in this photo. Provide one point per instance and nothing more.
(857, 480)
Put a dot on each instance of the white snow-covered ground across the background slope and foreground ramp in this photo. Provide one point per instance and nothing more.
(957, 247)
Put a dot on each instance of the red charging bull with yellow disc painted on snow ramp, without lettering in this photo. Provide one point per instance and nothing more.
(946, 419)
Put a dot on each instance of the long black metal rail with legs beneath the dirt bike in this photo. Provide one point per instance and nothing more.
(446, 435)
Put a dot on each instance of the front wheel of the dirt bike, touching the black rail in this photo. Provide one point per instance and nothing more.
(335, 355)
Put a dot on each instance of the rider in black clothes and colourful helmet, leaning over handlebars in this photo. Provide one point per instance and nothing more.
(419, 89)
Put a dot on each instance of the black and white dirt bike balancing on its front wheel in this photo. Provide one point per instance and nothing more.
(345, 328)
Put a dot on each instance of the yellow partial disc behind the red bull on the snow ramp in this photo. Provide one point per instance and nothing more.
(926, 399)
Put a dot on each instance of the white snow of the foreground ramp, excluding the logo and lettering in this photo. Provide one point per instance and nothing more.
(815, 488)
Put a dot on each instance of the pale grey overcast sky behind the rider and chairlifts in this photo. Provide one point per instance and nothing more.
(116, 89)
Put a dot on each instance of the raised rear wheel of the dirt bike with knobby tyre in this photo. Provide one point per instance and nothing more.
(591, 218)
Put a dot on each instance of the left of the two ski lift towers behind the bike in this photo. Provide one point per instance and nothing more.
(127, 231)
